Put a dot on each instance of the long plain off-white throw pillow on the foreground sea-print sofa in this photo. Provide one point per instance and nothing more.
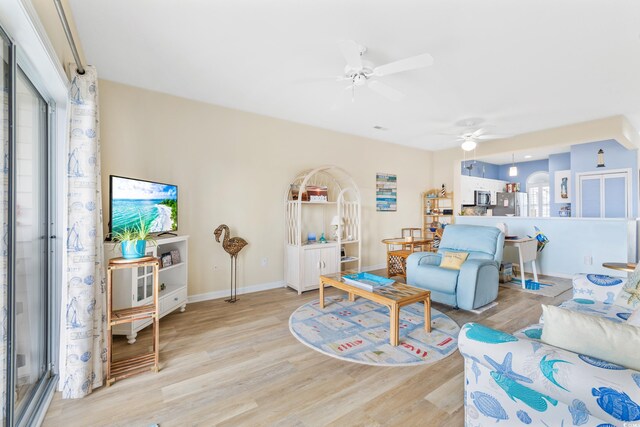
(592, 336)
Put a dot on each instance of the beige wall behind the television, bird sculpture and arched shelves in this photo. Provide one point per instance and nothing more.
(233, 167)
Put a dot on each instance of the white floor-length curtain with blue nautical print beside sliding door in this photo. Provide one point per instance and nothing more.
(84, 340)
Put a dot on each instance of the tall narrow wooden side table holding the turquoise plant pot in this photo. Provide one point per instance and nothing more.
(136, 364)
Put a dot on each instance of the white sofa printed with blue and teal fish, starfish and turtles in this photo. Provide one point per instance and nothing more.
(515, 379)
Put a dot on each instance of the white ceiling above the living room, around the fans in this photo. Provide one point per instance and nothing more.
(520, 66)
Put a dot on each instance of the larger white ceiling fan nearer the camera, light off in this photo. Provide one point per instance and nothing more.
(360, 72)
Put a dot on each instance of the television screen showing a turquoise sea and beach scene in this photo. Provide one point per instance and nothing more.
(133, 200)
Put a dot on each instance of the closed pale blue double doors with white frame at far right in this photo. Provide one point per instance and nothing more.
(604, 195)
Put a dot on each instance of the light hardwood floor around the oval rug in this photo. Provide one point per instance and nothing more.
(238, 365)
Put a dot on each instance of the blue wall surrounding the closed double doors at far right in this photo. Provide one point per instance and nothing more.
(584, 158)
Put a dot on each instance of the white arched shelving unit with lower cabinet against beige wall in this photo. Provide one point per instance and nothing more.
(305, 262)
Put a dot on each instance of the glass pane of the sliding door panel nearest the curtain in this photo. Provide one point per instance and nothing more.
(31, 244)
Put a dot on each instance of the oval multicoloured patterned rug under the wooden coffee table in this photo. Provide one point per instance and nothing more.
(359, 332)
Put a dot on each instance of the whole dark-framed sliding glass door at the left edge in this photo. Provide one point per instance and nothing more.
(25, 328)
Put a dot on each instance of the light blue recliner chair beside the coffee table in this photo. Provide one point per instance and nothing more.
(476, 283)
